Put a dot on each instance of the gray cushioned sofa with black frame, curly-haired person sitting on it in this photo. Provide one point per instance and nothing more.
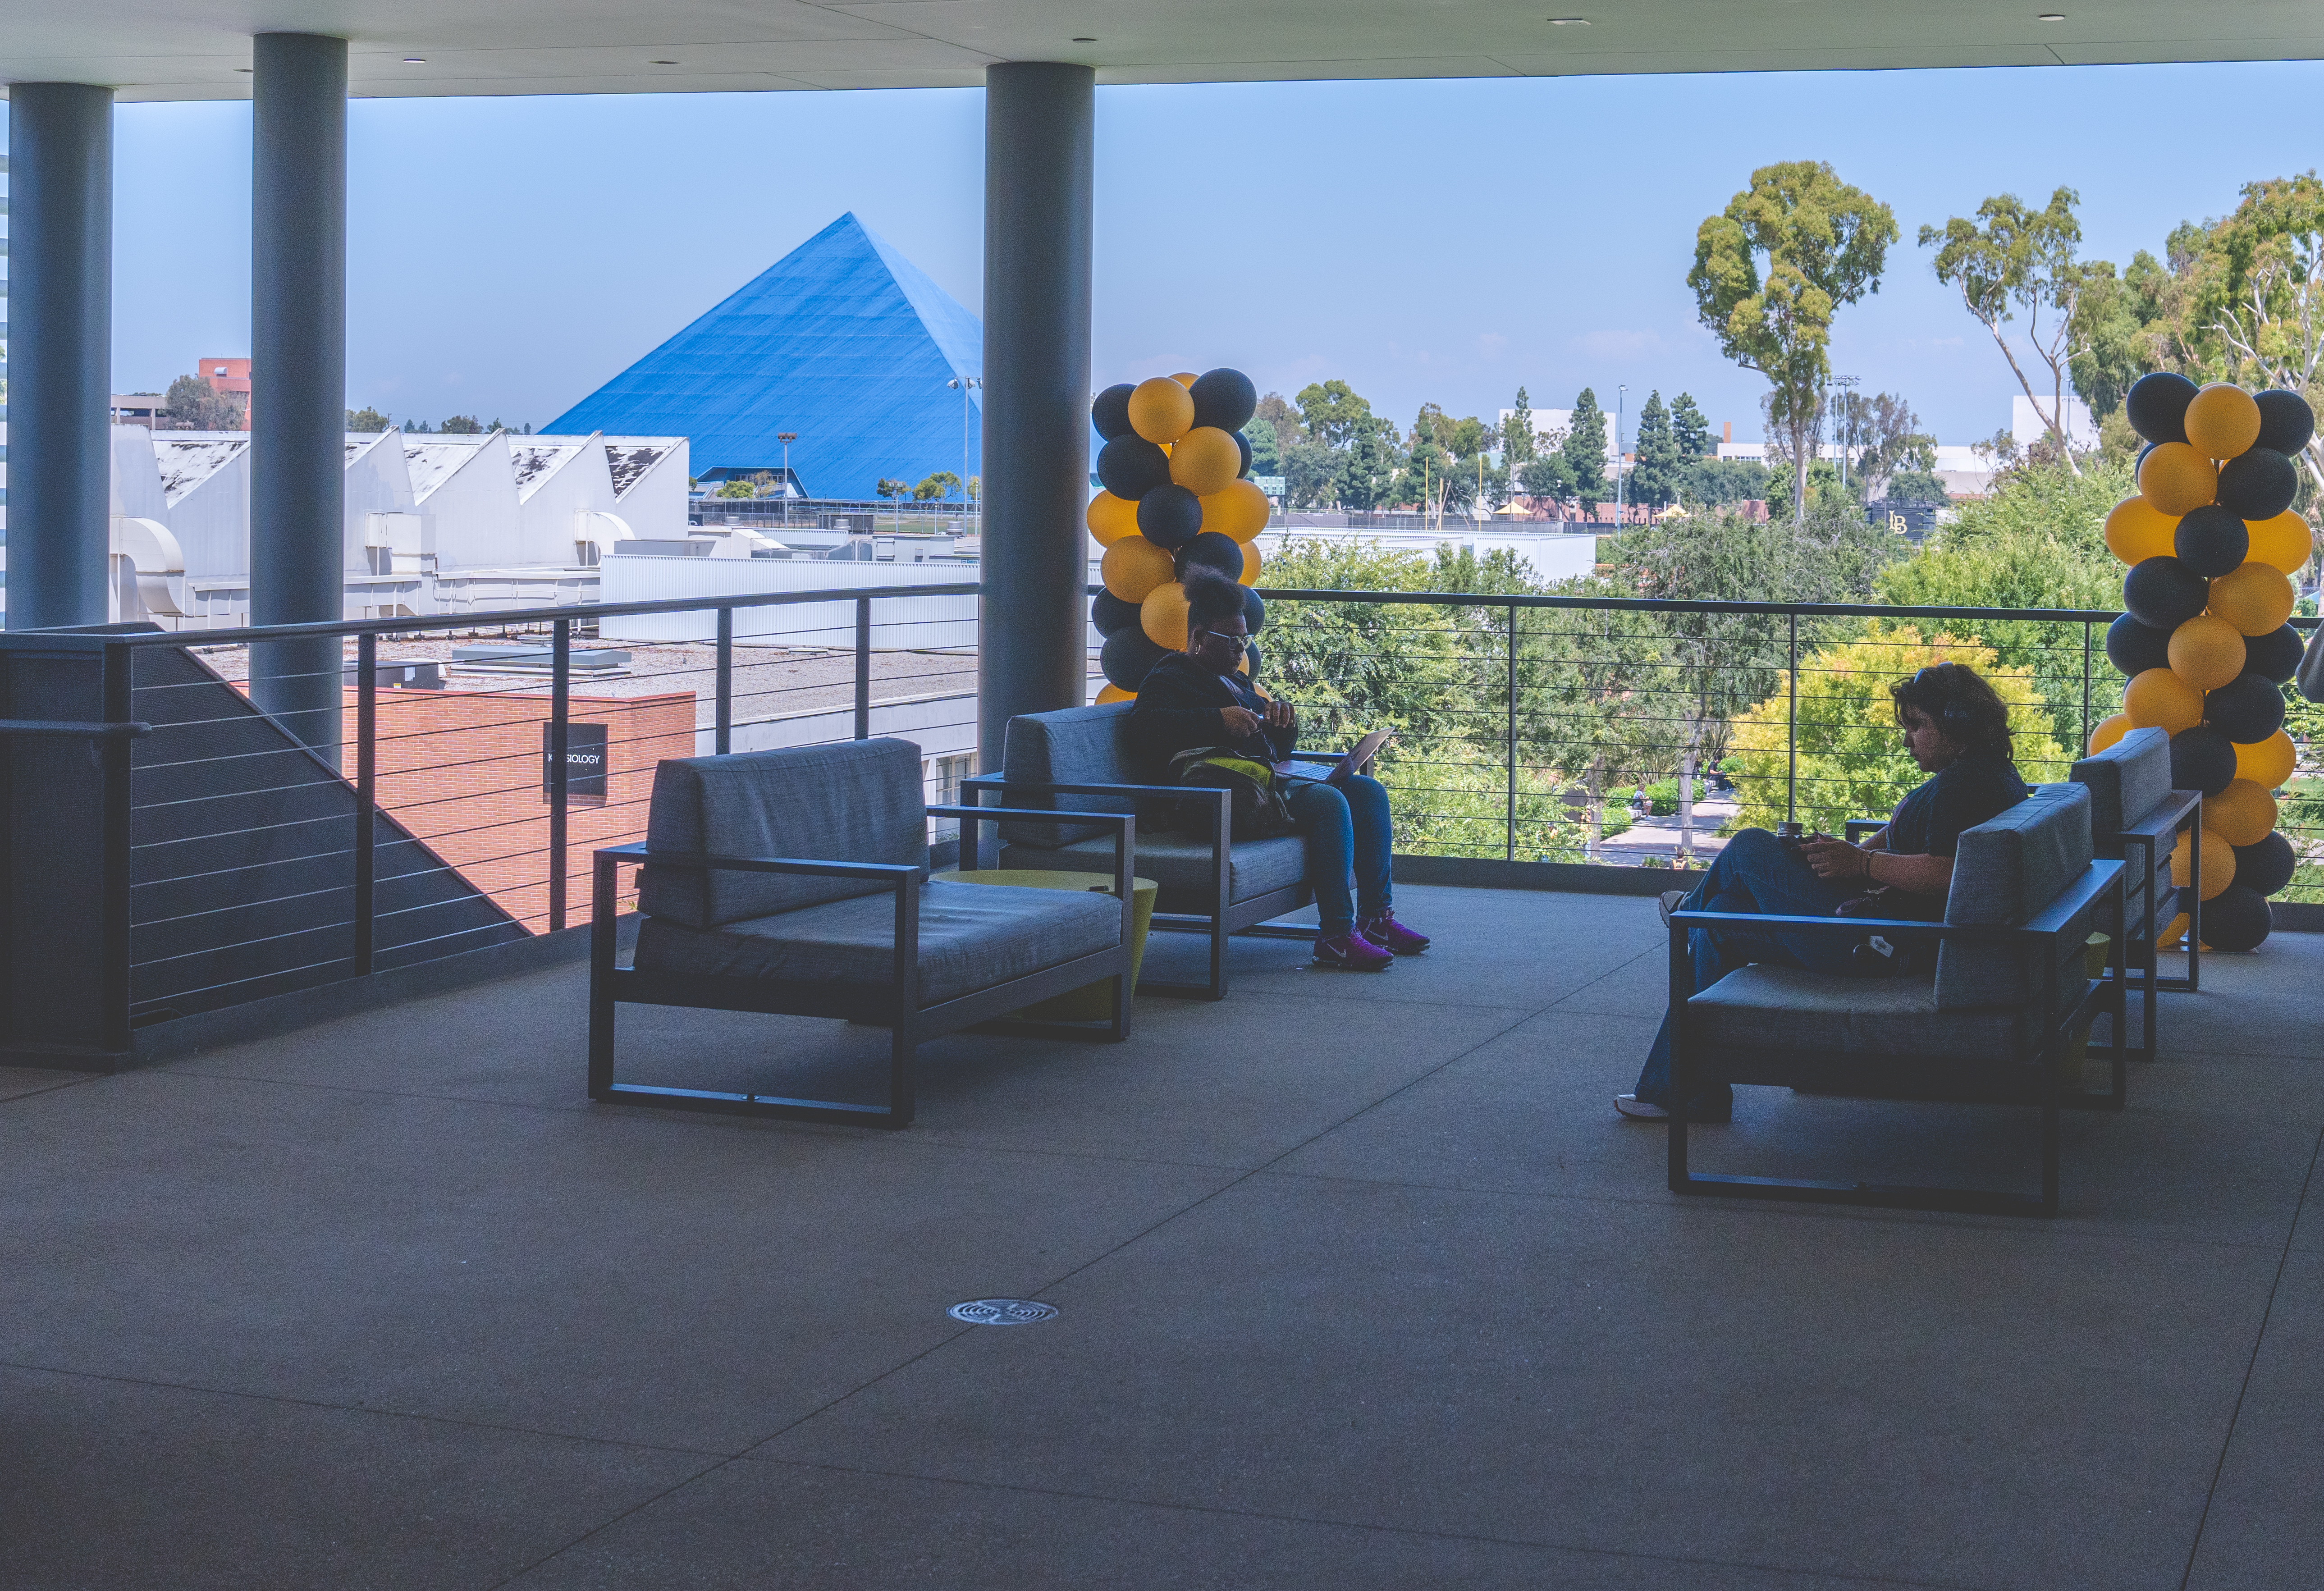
(1995, 1023)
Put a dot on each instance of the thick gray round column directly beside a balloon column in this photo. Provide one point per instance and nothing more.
(1040, 147)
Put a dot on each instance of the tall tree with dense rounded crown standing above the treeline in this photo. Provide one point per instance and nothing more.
(1774, 268)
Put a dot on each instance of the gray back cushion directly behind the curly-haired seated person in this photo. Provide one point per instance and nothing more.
(2004, 872)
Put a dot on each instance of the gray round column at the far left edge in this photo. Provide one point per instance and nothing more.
(62, 303)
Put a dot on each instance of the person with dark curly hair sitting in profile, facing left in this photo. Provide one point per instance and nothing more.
(1958, 733)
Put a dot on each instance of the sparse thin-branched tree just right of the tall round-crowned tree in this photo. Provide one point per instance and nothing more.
(2021, 259)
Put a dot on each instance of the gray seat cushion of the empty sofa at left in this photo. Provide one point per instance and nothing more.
(973, 937)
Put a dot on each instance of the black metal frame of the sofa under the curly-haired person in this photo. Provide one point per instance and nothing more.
(2030, 1079)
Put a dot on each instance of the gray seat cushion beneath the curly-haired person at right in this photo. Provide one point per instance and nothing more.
(1793, 1009)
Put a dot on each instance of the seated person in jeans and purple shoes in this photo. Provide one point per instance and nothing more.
(1198, 700)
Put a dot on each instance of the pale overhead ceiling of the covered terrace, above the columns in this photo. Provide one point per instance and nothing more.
(192, 50)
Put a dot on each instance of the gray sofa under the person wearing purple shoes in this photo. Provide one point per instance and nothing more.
(1212, 886)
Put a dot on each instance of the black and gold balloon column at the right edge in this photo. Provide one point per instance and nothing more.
(2214, 545)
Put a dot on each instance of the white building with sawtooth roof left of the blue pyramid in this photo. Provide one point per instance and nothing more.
(431, 524)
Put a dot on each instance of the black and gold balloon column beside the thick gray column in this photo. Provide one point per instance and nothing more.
(1179, 494)
